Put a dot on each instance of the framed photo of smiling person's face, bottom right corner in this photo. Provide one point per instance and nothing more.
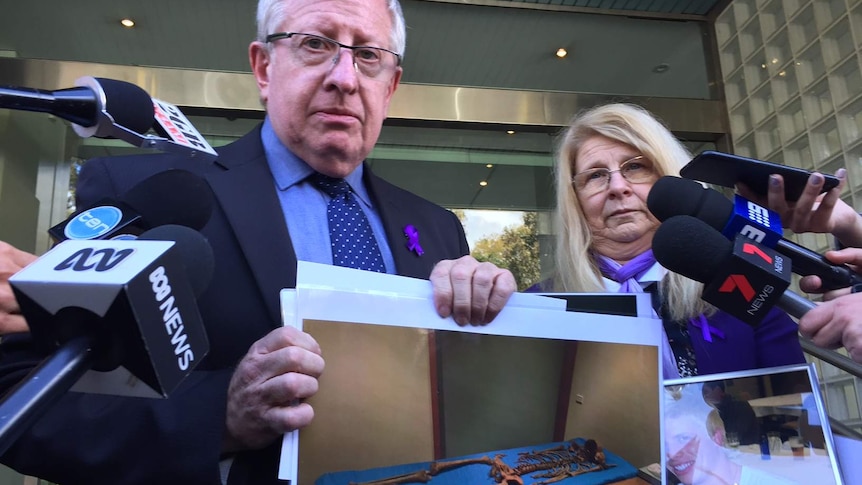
(754, 427)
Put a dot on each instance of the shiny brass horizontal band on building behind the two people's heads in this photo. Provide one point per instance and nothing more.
(238, 92)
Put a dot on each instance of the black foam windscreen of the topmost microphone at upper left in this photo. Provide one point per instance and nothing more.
(129, 105)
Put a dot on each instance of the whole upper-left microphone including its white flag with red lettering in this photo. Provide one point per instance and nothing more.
(107, 108)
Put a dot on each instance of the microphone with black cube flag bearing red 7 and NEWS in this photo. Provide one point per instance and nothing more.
(743, 278)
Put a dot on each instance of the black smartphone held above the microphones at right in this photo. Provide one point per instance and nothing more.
(726, 169)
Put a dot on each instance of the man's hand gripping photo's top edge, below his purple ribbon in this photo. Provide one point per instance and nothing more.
(470, 291)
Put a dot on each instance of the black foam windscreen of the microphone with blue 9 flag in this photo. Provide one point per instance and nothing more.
(675, 196)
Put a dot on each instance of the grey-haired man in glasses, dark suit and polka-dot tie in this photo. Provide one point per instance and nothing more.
(326, 101)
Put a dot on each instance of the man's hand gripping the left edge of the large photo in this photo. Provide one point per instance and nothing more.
(266, 391)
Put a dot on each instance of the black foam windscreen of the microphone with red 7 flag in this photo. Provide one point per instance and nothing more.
(688, 246)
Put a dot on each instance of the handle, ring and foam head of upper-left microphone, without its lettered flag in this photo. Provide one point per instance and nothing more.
(92, 106)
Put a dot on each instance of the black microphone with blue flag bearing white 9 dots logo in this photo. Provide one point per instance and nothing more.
(672, 196)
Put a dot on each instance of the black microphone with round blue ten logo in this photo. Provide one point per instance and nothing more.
(176, 197)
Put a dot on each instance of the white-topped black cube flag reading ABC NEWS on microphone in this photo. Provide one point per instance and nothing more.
(132, 295)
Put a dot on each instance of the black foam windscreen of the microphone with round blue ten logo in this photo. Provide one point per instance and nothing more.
(172, 197)
